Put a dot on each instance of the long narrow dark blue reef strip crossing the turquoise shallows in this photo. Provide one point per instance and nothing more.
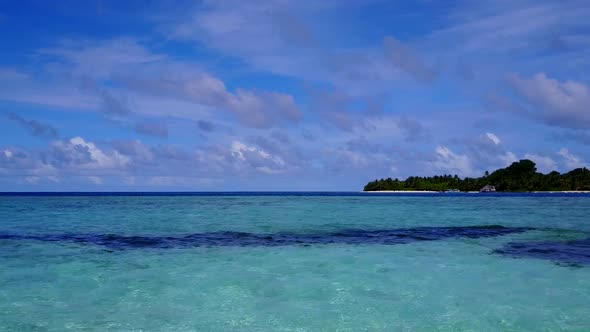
(242, 239)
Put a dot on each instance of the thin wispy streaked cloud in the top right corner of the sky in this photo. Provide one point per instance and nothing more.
(502, 26)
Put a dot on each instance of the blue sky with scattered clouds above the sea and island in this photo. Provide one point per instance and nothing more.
(287, 94)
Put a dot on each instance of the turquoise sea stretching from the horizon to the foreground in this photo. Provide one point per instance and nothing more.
(62, 269)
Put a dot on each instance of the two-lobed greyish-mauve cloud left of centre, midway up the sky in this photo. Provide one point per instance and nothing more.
(164, 91)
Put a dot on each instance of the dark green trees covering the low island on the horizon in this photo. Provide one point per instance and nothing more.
(520, 176)
